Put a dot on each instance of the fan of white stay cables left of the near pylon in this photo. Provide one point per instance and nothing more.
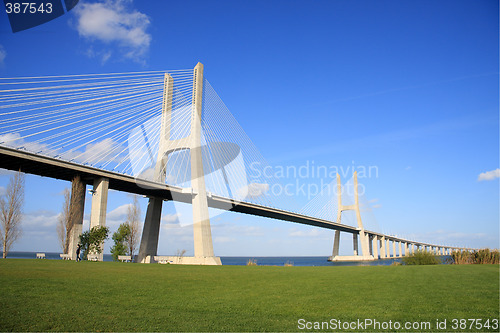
(87, 119)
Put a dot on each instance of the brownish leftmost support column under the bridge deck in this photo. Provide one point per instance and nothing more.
(77, 206)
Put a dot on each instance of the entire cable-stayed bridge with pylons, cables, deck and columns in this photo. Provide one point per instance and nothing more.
(168, 136)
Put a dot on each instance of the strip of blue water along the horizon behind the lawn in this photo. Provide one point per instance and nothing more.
(271, 261)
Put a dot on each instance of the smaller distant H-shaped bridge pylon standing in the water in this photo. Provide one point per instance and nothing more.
(364, 238)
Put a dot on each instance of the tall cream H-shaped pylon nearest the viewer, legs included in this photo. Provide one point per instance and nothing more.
(203, 247)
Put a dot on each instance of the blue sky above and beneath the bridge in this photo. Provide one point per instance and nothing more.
(410, 87)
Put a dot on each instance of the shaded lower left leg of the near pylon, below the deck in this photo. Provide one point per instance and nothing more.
(150, 231)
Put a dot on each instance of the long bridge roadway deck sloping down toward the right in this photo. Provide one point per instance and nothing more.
(46, 166)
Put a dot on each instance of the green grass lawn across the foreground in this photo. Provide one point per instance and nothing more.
(55, 295)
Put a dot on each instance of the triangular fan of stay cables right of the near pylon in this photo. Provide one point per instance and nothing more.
(233, 165)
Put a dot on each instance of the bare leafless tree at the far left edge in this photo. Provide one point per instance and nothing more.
(11, 212)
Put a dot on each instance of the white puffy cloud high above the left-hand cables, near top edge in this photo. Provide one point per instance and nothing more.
(114, 22)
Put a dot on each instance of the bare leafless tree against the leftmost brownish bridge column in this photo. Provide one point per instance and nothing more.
(66, 220)
